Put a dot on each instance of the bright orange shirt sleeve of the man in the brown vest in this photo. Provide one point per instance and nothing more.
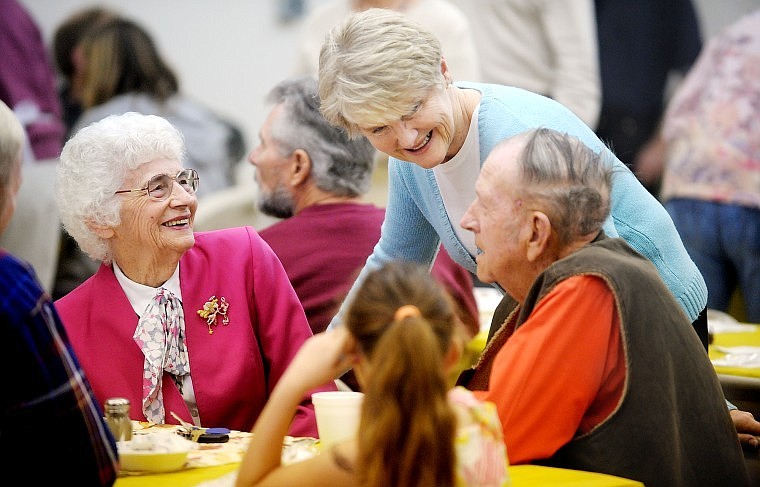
(561, 373)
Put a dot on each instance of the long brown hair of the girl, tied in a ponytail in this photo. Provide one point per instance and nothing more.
(407, 427)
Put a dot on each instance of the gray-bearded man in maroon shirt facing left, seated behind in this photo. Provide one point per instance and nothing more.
(313, 175)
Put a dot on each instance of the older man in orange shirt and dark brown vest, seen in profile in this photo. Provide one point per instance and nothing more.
(597, 367)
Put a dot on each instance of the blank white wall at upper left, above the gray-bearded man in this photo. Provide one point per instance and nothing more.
(226, 53)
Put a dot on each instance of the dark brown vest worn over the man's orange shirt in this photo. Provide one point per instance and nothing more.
(672, 426)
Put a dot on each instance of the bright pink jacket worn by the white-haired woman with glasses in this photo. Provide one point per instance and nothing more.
(234, 369)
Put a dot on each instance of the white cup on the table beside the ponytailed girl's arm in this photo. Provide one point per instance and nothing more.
(338, 414)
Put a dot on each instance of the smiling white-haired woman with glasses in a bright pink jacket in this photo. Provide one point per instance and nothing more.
(197, 324)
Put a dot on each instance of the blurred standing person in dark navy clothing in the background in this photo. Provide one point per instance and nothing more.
(645, 47)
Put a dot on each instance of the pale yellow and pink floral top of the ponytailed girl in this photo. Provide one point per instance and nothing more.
(481, 453)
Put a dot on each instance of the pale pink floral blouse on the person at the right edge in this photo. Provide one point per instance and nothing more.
(712, 126)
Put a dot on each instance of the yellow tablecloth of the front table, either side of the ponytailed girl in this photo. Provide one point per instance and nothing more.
(522, 476)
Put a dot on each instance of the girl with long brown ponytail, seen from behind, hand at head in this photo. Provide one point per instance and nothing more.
(414, 431)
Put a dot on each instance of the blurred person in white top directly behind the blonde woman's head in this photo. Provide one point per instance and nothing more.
(442, 17)
